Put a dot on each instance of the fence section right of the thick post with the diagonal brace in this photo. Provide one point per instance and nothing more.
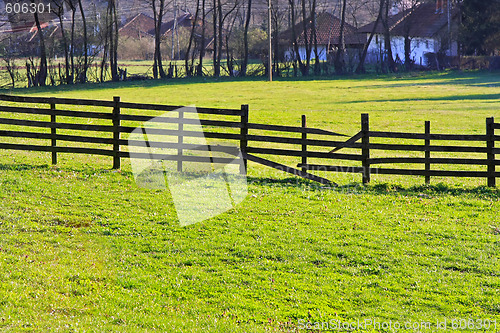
(366, 146)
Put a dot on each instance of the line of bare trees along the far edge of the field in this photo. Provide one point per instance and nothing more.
(79, 41)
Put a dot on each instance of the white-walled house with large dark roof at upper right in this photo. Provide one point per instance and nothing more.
(428, 28)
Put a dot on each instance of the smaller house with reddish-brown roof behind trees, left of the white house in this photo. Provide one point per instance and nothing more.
(327, 36)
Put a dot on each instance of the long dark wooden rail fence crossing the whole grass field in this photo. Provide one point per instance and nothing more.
(253, 139)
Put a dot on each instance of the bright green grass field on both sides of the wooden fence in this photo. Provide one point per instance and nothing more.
(82, 248)
